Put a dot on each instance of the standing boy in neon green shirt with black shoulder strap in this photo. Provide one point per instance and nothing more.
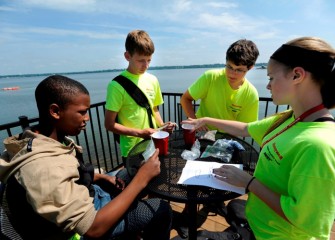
(133, 120)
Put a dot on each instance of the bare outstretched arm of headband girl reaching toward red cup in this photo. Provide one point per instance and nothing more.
(232, 127)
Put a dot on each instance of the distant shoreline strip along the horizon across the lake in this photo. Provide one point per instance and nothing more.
(217, 65)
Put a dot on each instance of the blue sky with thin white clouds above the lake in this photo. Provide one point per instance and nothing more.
(58, 36)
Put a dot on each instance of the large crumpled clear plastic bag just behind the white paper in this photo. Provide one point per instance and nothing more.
(222, 149)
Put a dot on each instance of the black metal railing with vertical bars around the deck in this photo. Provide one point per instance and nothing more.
(101, 150)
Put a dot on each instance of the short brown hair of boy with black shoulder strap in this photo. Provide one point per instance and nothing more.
(139, 41)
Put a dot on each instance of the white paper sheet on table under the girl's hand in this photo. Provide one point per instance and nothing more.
(200, 173)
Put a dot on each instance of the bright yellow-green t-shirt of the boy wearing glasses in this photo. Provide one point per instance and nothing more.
(219, 100)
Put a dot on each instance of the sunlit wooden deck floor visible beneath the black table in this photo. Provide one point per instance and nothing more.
(216, 223)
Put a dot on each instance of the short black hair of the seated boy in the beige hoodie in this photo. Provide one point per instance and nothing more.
(56, 89)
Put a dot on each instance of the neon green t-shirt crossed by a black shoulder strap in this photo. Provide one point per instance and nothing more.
(130, 114)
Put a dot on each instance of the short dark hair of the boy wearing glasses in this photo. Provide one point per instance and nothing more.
(242, 52)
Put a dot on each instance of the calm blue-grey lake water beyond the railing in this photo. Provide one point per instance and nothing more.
(22, 101)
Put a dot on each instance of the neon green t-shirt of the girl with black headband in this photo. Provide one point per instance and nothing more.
(299, 164)
